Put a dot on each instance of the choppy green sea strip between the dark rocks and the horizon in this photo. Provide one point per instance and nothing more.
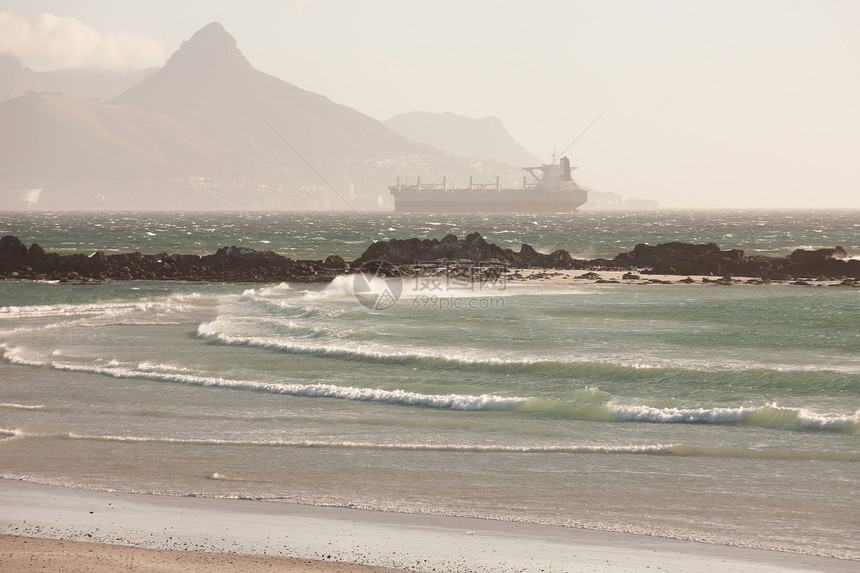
(317, 235)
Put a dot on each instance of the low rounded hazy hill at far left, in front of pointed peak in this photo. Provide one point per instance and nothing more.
(53, 136)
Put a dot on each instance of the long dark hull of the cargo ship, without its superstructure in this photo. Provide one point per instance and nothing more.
(504, 201)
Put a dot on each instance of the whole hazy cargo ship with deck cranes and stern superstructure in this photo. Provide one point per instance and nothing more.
(551, 189)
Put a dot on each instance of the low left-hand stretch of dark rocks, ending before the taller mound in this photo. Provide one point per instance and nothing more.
(228, 264)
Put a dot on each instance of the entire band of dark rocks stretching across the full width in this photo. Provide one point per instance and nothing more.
(421, 256)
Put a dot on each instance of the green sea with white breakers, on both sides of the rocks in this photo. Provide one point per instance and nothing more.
(729, 415)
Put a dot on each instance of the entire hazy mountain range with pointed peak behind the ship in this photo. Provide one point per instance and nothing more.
(208, 130)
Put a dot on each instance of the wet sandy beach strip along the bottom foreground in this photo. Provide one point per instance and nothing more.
(232, 534)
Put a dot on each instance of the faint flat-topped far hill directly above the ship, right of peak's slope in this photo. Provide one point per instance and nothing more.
(484, 138)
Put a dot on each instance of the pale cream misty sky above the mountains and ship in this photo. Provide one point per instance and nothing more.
(716, 104)
